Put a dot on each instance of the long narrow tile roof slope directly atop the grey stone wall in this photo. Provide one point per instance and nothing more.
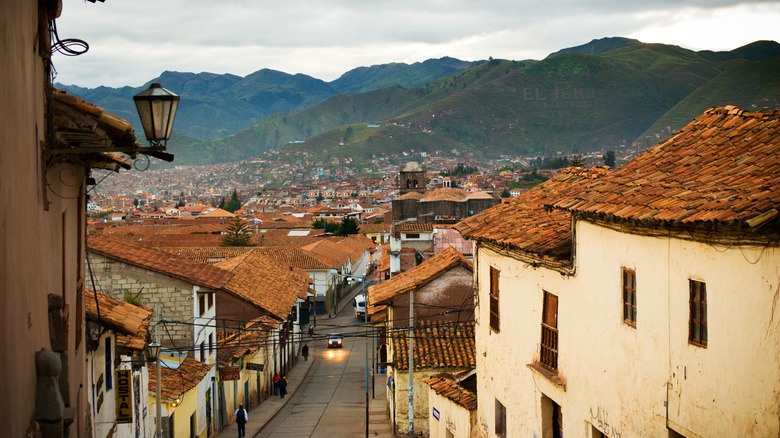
(125, 251)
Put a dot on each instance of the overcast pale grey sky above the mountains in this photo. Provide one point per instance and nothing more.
(133, 41)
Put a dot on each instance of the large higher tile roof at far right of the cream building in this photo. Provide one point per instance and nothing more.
(724, 166)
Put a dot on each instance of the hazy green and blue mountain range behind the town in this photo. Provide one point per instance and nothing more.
(602, 95)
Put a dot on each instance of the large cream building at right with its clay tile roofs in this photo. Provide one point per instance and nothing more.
(639, 302)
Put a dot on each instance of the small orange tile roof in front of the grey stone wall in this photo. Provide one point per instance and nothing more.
(130, 322)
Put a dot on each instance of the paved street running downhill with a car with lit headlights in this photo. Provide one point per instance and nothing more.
(331, 399)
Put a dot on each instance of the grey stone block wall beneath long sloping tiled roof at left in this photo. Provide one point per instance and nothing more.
(174, 296)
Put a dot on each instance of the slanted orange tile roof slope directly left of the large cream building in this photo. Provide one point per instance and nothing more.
(416, 278)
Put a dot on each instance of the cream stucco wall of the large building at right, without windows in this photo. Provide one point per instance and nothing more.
(616, 376)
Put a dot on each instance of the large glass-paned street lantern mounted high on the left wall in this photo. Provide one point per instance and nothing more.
(157, 108)
